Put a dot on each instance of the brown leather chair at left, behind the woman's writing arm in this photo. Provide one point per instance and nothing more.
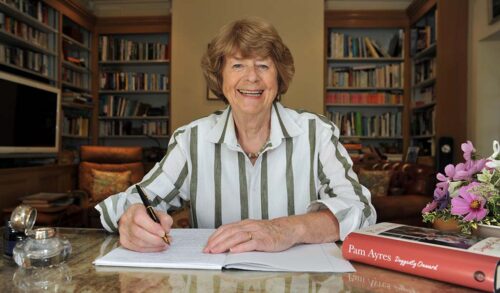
(108, 159)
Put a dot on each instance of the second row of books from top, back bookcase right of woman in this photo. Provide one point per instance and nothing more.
(384, 76)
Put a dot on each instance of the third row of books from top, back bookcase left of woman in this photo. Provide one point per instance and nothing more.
(116, 106)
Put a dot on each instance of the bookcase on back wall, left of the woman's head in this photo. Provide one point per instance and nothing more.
(133, 81)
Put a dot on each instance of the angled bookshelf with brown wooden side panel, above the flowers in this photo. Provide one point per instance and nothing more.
(438, 51)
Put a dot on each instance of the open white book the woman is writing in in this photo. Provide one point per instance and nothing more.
(186, 252)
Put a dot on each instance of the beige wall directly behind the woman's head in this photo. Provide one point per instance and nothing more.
(194, 23)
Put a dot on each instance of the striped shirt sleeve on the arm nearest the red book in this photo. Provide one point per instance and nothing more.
(339, 190)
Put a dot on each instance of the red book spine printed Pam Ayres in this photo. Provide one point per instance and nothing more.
(449, 265)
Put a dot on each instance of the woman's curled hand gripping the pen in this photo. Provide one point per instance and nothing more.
(139, 232)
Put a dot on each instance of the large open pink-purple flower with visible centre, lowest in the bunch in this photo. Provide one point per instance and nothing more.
(468, 204)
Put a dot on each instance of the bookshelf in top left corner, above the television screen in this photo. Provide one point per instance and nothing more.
(28, 39)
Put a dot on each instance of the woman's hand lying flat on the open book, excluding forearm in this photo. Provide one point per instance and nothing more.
(249, 235)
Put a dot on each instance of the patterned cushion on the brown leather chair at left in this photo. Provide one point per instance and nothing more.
(106, 183)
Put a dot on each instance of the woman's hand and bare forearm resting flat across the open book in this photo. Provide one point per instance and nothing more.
(274, 235)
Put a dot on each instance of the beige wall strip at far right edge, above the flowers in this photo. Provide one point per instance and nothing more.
(484, 78)
